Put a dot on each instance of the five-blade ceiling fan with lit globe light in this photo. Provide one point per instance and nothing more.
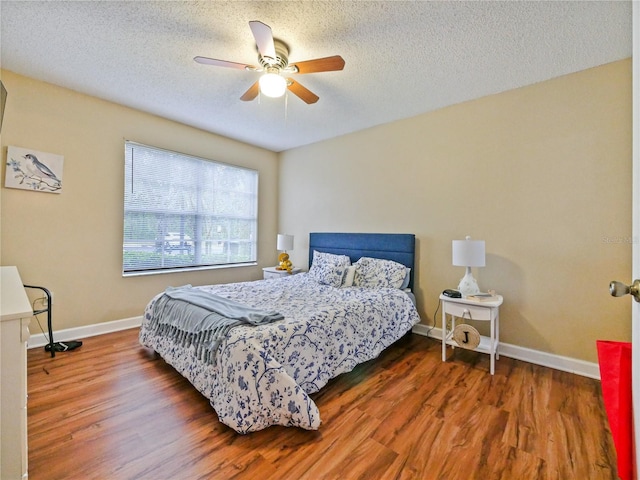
(273, 57)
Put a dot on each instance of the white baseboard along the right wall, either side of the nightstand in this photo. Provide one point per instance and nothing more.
(565, 364)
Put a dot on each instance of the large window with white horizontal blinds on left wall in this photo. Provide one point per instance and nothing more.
(186, 212)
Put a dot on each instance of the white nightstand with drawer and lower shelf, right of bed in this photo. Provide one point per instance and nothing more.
(472, 310)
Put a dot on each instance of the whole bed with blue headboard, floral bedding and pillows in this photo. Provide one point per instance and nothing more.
(353, 303)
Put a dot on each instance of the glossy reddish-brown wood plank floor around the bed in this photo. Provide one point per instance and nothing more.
(114, 410)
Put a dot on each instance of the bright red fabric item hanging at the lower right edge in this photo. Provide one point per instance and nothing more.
(615, 377)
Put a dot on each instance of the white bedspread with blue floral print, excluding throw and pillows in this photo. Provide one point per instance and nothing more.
(264, 374)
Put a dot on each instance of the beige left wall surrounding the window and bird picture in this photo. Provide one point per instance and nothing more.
(72, 242)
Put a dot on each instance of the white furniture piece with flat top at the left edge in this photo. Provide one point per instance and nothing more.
(15, 314)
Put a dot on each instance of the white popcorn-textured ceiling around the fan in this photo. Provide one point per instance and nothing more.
(402, 58)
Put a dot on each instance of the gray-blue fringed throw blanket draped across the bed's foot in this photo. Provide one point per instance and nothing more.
(189, 316)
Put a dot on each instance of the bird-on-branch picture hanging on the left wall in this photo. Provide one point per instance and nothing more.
(32, 170)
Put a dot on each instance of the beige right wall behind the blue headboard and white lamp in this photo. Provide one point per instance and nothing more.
(541, 173)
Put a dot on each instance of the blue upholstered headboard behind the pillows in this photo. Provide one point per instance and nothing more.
(399, 247)
